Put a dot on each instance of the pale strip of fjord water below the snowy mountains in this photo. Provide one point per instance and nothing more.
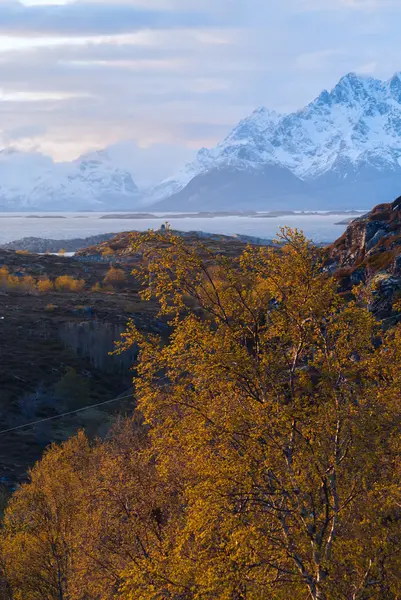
(13, 226)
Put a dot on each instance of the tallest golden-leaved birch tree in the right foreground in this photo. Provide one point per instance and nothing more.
(268, 398)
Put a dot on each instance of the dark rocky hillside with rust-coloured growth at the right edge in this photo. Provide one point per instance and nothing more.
(370, 252)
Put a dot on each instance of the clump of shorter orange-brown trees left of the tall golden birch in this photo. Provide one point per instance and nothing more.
(86, 515)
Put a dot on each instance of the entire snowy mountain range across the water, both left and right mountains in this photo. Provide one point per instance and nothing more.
(342, 151)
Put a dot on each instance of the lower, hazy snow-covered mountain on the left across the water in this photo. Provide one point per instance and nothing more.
(94, 181)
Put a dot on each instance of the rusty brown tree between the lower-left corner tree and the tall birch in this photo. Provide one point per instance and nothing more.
(129, 516)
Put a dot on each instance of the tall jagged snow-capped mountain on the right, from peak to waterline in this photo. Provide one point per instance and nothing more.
(344, 147)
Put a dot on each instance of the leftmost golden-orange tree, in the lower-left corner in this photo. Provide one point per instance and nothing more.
(37, 540)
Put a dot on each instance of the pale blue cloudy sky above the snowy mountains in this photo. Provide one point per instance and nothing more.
(171, 76)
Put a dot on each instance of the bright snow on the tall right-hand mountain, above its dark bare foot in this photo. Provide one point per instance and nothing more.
(348, 135)
